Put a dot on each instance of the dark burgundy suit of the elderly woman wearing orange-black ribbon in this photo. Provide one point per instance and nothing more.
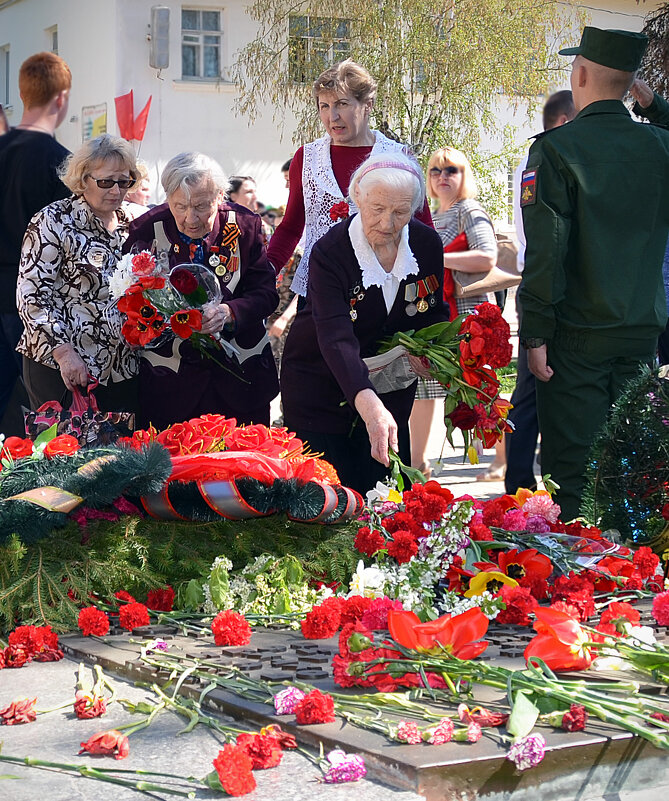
(253, 382)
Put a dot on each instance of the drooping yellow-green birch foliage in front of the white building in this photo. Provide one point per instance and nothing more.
(440, 68)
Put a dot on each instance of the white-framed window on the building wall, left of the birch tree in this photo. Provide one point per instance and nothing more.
(201, 43)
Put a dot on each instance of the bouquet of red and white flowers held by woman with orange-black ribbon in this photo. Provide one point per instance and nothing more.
(157, 302)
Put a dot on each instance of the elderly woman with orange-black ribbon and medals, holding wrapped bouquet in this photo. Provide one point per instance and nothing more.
(176, 381)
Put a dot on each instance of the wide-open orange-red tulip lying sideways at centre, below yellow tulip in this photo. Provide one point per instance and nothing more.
(459, 635)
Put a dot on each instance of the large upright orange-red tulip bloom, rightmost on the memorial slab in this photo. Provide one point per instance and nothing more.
(559, 641)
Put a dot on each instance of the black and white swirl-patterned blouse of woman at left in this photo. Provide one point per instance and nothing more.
(63, 289)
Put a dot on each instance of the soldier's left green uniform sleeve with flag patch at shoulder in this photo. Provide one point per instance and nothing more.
(547, 221)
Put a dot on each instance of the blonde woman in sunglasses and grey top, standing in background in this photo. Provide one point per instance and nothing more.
(450, 181)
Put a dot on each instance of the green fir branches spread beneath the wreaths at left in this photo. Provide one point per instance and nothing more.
(137, 554)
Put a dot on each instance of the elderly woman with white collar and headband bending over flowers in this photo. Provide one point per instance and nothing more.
(376, 273)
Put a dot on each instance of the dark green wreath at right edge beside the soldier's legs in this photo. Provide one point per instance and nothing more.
(628, 475)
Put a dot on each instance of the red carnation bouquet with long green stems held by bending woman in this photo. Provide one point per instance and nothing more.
(463, 355)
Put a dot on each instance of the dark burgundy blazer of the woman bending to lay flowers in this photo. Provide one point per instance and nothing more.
(322, 369)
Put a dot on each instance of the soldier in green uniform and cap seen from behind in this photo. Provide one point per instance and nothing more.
(595, 203)
